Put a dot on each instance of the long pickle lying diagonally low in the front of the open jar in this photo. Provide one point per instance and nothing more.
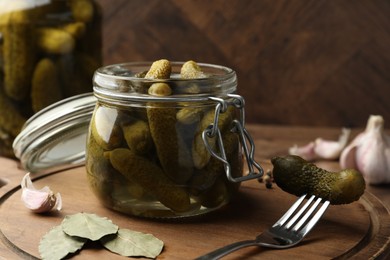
(152, 179)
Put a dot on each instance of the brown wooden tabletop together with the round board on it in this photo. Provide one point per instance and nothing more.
(360, 229)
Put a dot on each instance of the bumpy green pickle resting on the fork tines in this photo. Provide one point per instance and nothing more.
(297, 176)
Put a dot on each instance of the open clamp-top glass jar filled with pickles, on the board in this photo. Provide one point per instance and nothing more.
(166, 156)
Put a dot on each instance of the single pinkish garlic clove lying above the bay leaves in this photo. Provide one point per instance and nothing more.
(39, 201)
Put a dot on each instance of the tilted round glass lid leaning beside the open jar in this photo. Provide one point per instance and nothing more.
(55, 137)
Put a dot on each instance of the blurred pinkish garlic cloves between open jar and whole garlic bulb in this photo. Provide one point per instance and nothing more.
(322, 149)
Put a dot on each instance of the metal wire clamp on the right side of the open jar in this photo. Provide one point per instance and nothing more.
(239, 127)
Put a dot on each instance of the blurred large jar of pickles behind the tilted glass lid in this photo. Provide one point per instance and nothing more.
(49, 50)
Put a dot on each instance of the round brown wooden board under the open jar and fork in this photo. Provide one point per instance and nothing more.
(344, 231)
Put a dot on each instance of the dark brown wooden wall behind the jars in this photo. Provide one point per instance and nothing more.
(302, 62)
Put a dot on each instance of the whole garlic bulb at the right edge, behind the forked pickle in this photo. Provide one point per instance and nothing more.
(369, 152)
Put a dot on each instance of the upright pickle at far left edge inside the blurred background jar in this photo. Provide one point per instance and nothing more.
(18, 53)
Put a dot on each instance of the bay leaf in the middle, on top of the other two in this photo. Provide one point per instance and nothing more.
(89, 226)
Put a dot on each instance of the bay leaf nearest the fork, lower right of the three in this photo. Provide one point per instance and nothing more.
(132, 243)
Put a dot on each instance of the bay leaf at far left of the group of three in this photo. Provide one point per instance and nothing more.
(56, 244)
